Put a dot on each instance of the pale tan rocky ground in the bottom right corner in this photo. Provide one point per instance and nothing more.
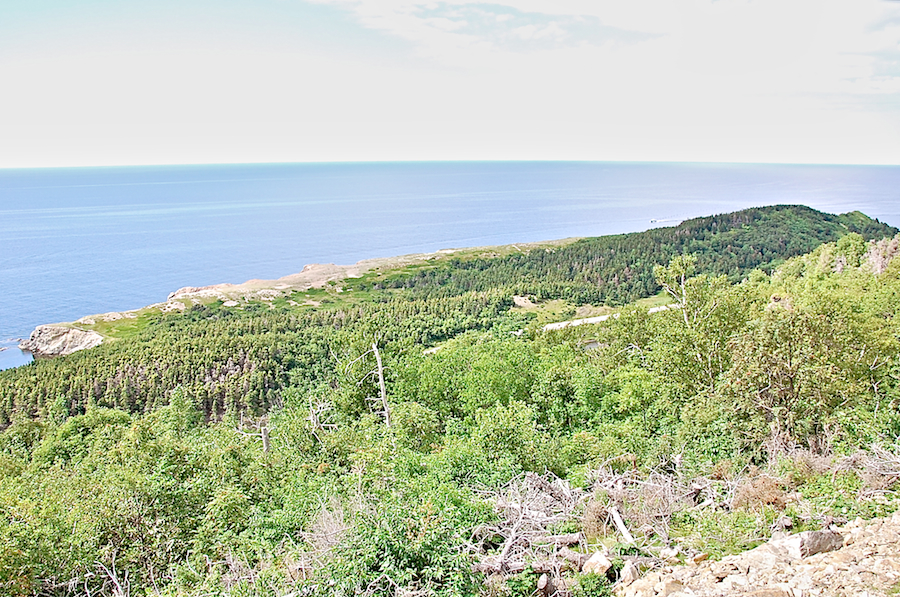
(861, 559)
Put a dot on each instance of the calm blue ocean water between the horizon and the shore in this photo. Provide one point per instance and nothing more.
(79, 241)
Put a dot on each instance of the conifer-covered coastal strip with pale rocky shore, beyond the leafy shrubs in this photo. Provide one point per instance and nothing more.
(236, 347)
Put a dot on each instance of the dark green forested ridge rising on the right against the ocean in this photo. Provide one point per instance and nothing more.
(619, 269)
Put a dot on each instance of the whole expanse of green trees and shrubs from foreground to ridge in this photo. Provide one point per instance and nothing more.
(324, 451)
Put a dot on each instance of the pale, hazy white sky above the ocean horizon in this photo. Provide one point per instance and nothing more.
(115, 82)
